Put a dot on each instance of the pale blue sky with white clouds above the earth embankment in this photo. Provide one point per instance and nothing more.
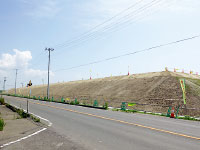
(28, 26)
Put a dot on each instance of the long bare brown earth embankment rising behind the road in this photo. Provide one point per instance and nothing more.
(151, 91)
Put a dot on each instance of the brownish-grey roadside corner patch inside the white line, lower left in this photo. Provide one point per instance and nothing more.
(15, 128)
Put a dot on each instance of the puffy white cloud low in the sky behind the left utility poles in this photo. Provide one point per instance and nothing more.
(20, 60)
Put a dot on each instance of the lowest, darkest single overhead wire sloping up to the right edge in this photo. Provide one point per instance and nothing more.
(132, 53)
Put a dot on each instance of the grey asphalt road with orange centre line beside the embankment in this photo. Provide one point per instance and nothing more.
(96, 129)
